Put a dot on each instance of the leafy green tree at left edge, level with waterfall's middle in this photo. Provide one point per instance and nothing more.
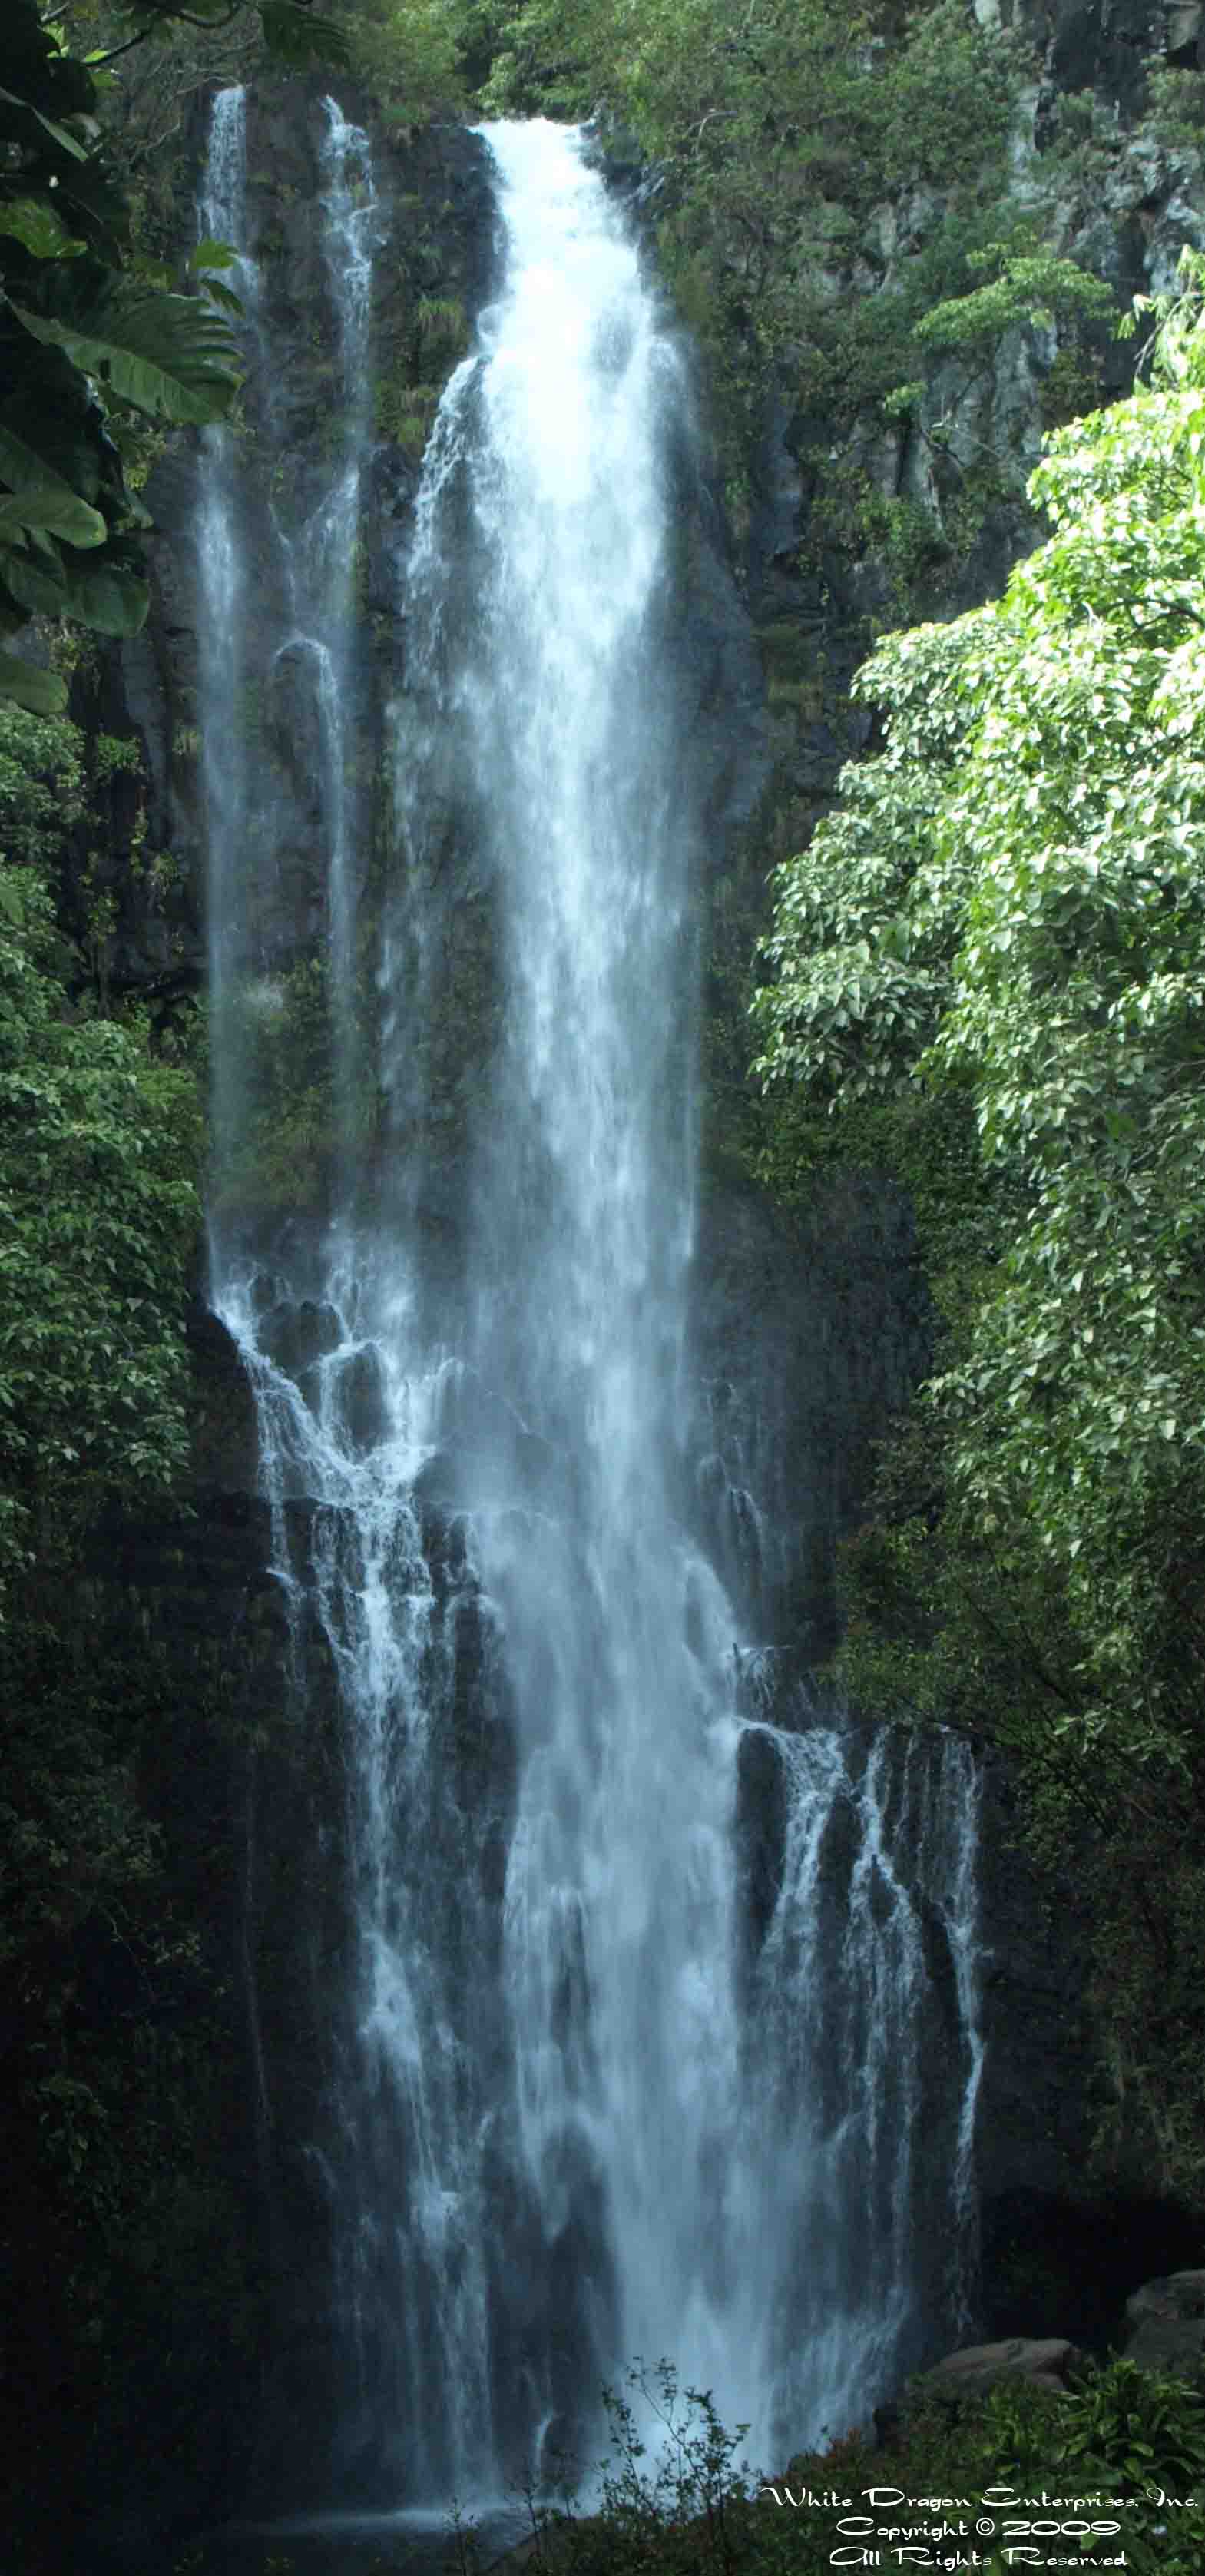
(97, 1155)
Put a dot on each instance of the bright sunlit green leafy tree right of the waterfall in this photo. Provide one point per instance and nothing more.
(1008, 911)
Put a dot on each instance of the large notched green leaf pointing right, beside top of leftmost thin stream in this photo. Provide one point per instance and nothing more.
(169, 357)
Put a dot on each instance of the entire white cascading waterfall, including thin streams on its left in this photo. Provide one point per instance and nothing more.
(601, 2083)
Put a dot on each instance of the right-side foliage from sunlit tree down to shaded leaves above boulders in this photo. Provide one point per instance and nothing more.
(1003, 923)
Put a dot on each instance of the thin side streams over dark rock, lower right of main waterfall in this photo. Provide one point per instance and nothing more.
(864, 2054)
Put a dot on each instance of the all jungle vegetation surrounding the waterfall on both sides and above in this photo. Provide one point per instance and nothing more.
(985, 980)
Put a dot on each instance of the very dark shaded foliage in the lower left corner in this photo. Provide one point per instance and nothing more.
(122, 2235)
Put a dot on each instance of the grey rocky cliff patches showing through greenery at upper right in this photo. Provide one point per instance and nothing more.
(817, 601)
